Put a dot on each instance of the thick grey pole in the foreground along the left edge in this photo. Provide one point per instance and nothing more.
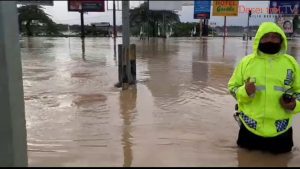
(13, 142)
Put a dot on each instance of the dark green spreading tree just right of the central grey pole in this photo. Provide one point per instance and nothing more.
(141, 16)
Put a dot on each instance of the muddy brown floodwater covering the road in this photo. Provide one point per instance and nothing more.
(179, 113)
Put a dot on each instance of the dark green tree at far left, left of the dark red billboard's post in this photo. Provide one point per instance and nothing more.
(33, 17)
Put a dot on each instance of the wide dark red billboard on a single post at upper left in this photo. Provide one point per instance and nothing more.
(86, 5)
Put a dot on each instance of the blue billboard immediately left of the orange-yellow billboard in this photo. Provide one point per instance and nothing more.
(202, 9)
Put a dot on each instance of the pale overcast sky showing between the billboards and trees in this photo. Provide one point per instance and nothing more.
(60, 14)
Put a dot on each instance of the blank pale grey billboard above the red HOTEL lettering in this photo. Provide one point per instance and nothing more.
(165, 5)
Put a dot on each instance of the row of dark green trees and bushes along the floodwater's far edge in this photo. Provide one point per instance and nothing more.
(34, 21)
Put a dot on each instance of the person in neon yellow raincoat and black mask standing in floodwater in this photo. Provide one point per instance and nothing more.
(266, 85)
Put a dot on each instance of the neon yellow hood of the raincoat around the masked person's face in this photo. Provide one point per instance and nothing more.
(268, 27)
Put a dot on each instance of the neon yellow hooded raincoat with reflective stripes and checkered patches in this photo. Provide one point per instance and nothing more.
(262, 113)
